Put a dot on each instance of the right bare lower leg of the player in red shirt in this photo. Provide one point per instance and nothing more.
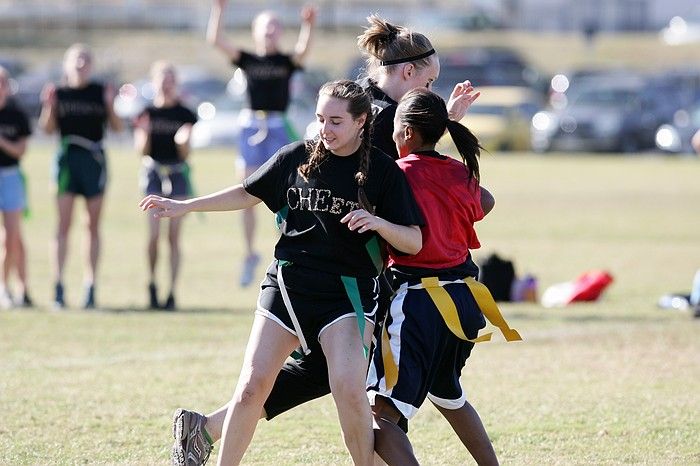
(467, 424)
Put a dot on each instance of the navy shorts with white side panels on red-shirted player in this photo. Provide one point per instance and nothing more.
(423, 358)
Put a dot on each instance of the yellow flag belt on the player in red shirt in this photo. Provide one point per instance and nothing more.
(446, 306)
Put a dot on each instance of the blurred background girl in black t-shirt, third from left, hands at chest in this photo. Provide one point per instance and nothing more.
(162, 136)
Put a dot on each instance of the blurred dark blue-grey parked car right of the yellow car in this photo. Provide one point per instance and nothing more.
(617, 115)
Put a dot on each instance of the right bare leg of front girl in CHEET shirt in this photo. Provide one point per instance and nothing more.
(347, 372)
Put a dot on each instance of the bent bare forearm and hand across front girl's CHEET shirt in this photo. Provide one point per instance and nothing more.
(404, 238)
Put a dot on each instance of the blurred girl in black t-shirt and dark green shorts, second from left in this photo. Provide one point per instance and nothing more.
(79, 110)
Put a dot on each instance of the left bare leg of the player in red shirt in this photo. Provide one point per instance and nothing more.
(390, 442)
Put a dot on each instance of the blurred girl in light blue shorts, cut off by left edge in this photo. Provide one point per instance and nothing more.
(14, 131)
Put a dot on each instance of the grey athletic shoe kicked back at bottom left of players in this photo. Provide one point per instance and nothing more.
(190, 448)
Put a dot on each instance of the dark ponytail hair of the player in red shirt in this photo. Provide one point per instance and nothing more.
(426, 113)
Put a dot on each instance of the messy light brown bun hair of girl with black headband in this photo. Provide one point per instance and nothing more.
(382, 41)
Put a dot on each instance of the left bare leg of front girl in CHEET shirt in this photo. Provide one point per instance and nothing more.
(268, 347)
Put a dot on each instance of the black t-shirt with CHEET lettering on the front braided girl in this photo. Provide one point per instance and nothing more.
(312, 234)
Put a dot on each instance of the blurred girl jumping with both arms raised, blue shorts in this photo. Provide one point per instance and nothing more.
(268, 73)
